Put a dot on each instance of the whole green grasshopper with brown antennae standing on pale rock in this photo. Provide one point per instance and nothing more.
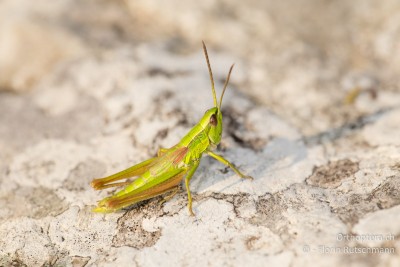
(163, 173)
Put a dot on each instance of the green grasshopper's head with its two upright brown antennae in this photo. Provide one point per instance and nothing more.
(213, 116)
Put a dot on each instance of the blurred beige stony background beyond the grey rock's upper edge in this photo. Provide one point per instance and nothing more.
(301, 58)
